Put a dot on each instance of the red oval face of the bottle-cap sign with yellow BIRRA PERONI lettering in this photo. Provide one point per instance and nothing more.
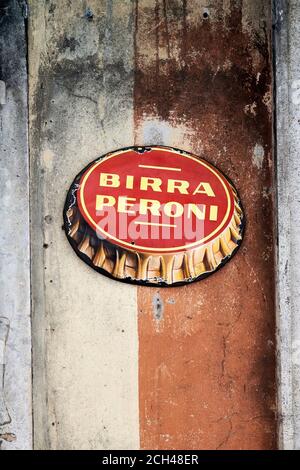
(156, 200)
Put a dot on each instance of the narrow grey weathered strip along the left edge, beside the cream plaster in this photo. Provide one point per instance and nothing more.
(15, 336)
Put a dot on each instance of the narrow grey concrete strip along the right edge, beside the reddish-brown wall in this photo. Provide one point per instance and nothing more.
(287, 46)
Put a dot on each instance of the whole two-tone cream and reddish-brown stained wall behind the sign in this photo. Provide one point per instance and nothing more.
(121, 367)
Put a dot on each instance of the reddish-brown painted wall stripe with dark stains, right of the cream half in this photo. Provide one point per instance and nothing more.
(206, 351)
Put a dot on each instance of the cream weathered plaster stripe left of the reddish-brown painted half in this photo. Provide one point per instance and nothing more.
(85, 346)
